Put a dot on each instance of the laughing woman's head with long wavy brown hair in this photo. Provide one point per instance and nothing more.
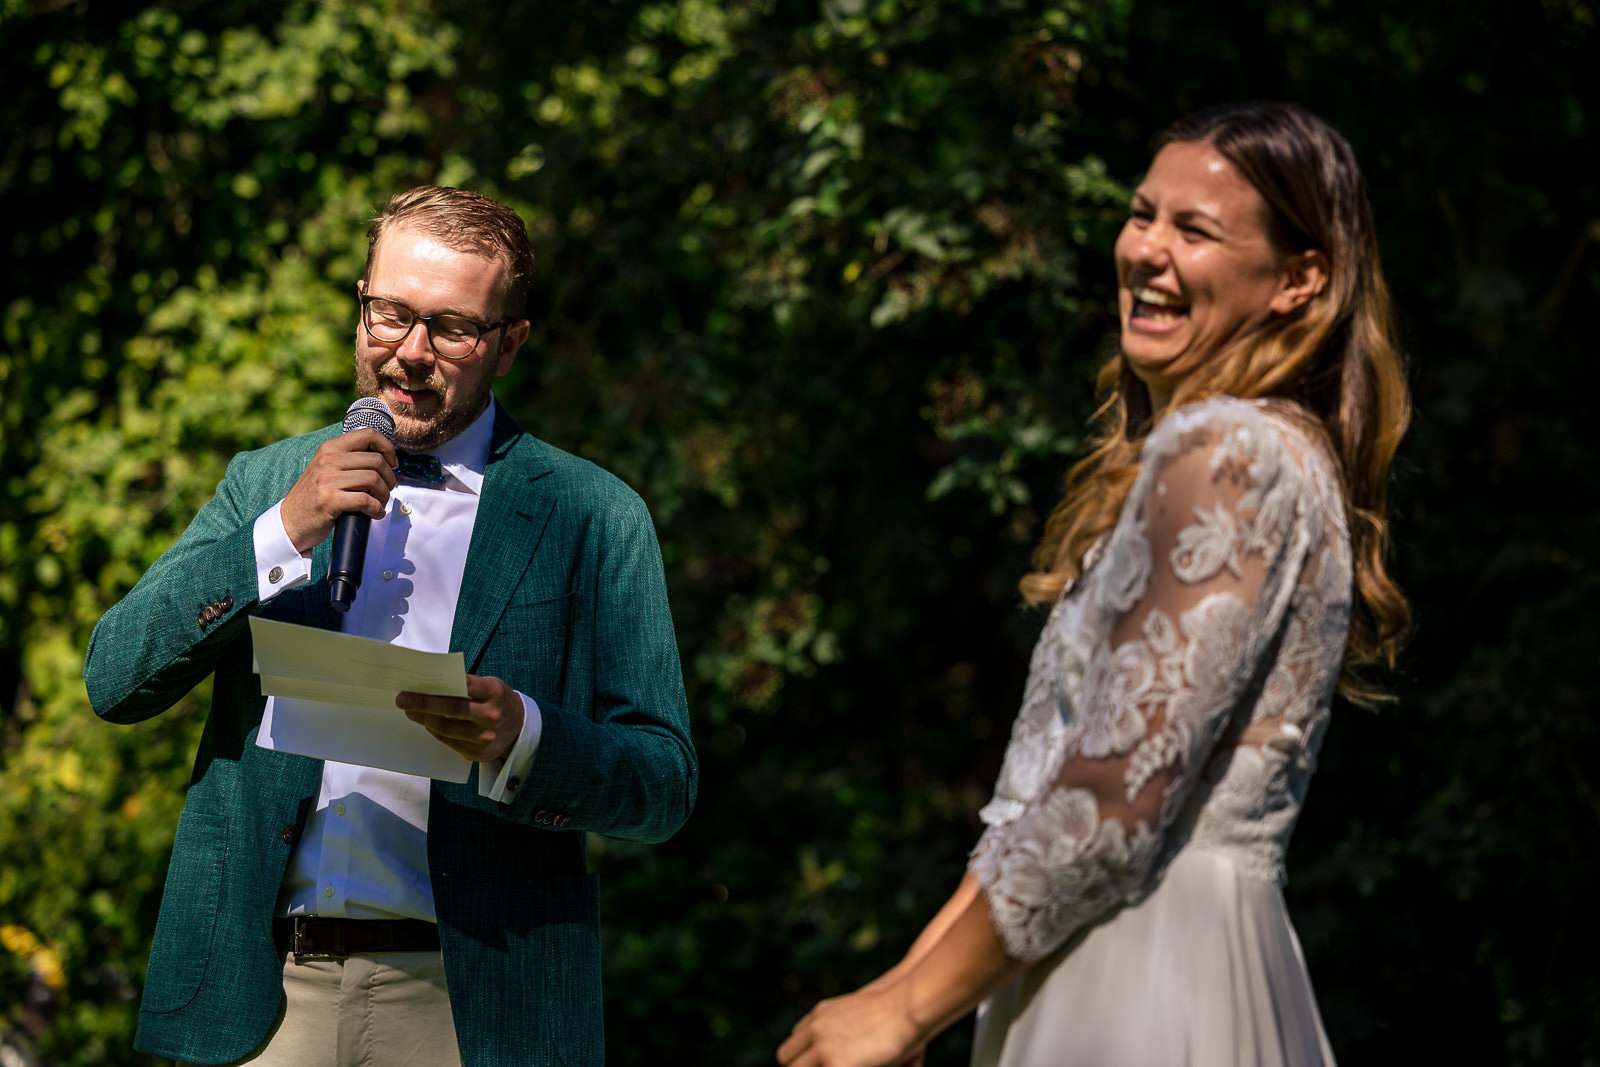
(1265, 258)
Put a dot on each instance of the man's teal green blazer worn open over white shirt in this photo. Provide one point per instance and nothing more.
(564, 599)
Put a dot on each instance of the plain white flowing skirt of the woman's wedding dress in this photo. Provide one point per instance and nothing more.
(1204, 973)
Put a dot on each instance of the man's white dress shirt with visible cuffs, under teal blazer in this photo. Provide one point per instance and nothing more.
(364, 850)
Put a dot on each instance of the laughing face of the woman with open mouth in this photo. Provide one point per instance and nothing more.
(1194, 265)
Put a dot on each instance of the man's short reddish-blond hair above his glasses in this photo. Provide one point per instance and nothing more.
(465, 222)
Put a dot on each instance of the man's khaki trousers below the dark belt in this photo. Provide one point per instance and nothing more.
(382, 1010)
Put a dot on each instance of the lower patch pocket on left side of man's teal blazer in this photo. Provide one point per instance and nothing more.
(188, 921)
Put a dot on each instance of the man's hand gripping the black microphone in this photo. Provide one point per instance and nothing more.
(353, 473)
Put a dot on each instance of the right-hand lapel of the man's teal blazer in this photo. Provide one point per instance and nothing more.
(506, 535)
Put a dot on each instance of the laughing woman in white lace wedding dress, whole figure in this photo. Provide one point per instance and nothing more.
(1215, 573)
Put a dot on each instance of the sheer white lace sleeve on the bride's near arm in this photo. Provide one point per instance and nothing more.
(1170, 642)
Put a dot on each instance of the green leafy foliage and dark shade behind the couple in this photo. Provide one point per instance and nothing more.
(826, 284)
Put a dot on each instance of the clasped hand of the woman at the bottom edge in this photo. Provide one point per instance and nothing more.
(871, 1028)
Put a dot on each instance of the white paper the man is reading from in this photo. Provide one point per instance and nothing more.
(334, 698)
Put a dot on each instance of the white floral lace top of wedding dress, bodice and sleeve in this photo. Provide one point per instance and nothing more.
(1201, 645)
